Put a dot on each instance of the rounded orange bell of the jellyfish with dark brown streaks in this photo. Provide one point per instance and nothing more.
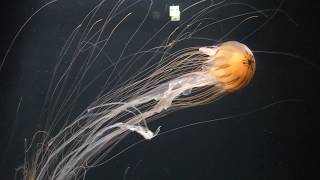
(232, 65)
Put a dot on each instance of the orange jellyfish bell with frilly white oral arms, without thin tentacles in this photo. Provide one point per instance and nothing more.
(230, 67)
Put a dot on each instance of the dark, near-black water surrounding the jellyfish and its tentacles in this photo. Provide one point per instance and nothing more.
(279, 142)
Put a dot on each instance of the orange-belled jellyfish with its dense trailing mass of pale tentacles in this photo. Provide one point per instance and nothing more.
(193, 77)
